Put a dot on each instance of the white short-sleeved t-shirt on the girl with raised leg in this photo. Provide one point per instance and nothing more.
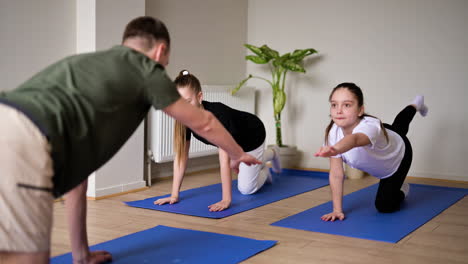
(380, 159)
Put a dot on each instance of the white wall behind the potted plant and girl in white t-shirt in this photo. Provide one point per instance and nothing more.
(393, 50)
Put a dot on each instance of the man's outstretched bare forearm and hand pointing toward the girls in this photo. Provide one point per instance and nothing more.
(206, 125)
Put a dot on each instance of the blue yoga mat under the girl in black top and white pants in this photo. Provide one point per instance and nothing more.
(196, 201)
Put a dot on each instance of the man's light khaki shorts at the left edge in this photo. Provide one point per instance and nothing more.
(26, 200)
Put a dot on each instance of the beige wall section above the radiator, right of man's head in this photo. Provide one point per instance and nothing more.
(207, 37)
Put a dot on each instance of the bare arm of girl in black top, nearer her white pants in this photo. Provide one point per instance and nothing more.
(226, 183)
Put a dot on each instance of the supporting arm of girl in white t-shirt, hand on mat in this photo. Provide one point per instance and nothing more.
(336, 186)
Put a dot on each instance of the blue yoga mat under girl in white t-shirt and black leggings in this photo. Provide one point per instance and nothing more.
(362, 220)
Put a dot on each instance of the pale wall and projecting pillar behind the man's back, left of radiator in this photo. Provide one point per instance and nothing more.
(38, 33)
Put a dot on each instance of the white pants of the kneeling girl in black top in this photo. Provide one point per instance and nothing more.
(252, 178)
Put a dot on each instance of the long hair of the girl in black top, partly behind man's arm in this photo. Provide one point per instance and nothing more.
(188, 80)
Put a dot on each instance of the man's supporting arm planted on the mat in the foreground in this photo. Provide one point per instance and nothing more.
(75, 206)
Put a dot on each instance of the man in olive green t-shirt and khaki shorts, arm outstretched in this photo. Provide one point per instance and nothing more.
(70, 119)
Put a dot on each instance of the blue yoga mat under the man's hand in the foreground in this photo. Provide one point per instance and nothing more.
(163, 244)
